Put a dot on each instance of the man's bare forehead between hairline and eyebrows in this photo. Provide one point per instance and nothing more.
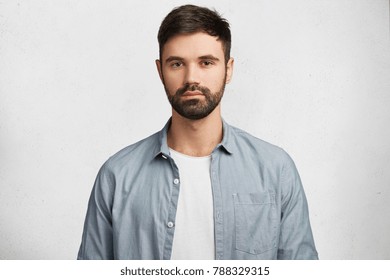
(193, 45)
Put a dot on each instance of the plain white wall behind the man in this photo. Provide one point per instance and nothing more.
(78, 83)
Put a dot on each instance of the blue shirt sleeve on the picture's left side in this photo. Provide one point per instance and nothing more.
(97, 239)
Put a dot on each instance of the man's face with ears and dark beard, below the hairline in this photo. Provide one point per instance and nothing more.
(194, 74)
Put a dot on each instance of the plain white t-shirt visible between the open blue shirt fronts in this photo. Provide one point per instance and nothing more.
(194, 226)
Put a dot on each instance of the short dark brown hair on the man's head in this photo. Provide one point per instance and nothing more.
(188, 19)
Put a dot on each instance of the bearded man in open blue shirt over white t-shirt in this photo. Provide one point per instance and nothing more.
(199, 188)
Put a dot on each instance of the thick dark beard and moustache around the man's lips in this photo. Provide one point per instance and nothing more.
(195, 109)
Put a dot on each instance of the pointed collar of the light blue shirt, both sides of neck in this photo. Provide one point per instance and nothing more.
(227, 143)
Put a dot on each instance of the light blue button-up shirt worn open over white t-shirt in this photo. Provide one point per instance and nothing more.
(260, 209)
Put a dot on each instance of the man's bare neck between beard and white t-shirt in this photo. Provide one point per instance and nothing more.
(195, 137)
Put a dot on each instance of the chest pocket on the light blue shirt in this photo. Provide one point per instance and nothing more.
(255, 222)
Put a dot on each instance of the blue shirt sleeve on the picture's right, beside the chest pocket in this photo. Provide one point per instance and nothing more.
(296, 238)
